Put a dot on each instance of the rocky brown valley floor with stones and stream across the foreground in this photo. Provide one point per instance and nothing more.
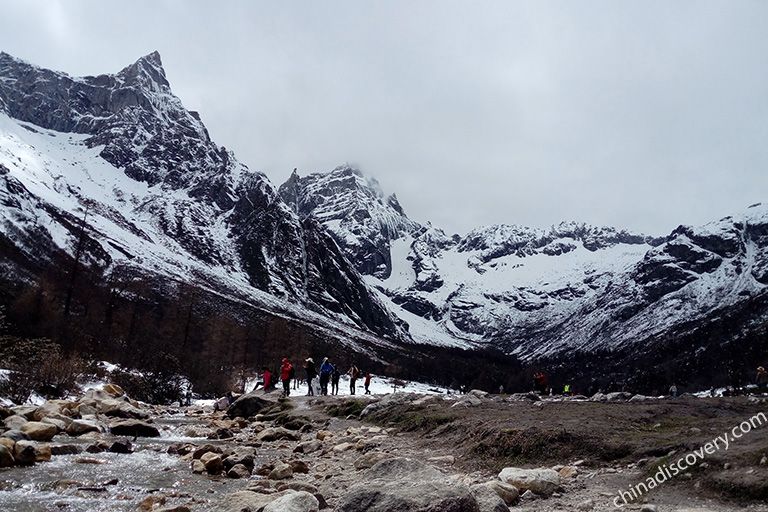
(330, 444)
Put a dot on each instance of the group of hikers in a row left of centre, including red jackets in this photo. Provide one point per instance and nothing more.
(328, 374)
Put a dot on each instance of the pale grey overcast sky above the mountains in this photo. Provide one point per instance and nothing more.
(638, 114)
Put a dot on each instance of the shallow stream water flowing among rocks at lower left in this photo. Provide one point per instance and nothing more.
(114, 482)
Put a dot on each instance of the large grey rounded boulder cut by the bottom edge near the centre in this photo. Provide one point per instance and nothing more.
(405, 485)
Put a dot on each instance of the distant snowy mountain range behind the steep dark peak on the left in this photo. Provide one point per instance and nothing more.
(540, 292)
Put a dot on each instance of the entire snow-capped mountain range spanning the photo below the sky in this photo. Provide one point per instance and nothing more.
(113, 170)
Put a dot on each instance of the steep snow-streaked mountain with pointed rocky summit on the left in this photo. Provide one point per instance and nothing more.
(121, 153)
